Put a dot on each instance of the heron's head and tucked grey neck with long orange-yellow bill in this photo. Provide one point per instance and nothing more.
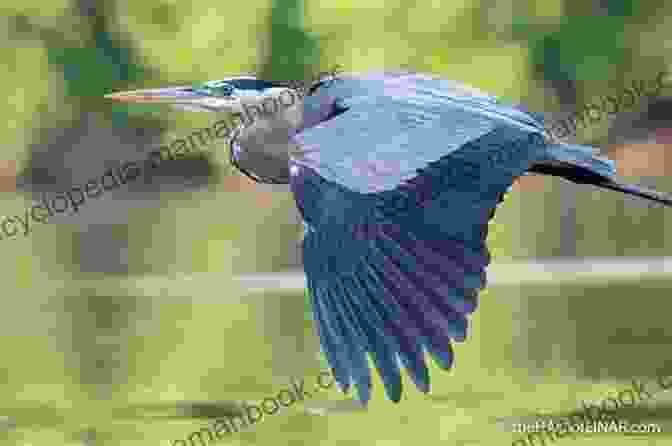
(271, 112)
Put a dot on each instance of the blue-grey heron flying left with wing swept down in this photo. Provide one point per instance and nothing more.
(396, 176)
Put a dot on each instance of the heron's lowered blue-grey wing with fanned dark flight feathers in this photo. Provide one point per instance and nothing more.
(393, 273)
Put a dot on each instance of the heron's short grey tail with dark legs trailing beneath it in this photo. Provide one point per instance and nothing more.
(578, 164)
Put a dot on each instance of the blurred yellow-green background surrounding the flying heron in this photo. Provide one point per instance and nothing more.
(121, 325)
